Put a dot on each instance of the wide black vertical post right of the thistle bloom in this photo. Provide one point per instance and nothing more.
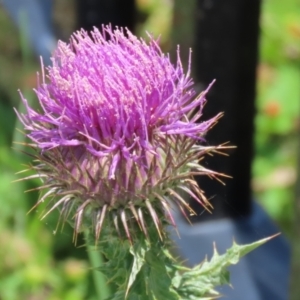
(226, 49)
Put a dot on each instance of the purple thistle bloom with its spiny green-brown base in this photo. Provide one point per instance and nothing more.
(118, 135)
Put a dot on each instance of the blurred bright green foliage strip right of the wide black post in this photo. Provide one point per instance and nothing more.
(278, 107)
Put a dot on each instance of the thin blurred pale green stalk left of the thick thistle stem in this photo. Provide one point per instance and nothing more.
(96, 261)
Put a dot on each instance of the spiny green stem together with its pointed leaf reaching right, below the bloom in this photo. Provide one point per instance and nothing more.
(143, 268)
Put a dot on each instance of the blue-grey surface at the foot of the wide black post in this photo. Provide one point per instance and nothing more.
(261, 275)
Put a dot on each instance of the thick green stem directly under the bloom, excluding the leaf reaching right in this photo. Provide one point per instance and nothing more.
(140, 269)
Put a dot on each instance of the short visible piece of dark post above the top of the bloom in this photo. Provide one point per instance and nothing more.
(98, 12)
